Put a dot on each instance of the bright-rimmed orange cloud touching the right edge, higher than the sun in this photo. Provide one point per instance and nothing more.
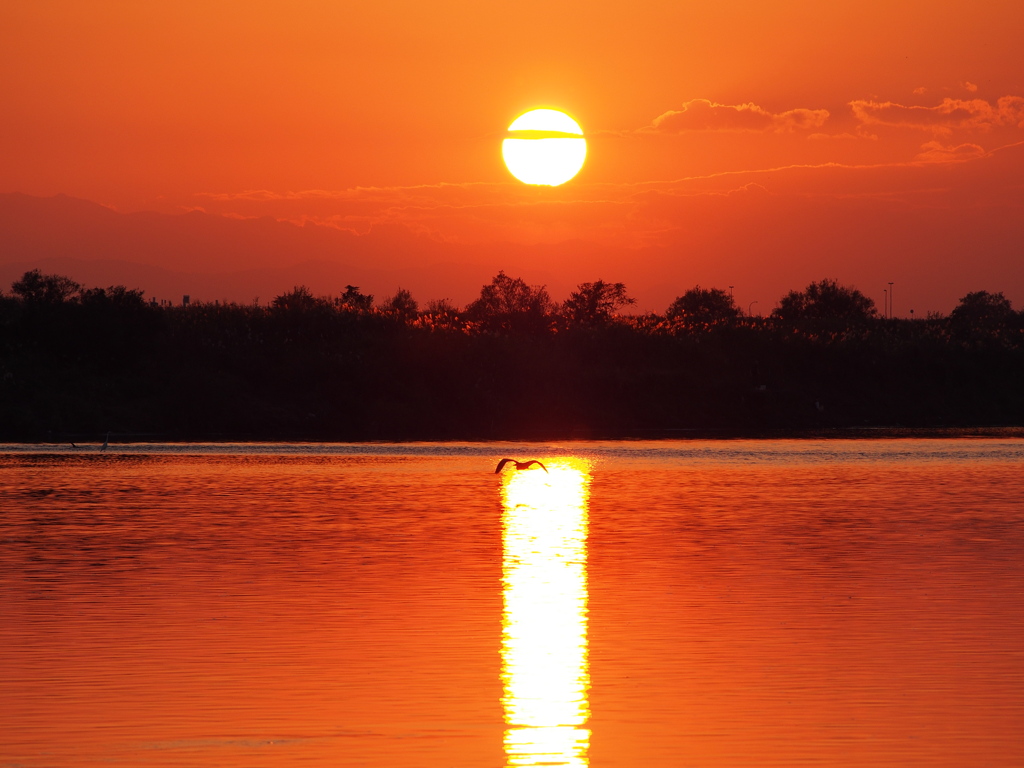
(952, 114)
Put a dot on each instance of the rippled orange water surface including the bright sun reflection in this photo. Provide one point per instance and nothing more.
(715, 604)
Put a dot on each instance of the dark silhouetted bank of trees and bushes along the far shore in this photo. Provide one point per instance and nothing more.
(77, 363)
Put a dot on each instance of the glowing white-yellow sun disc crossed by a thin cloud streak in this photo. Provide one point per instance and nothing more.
(545, 147)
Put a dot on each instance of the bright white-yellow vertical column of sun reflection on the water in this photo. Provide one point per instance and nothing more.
(545, 669)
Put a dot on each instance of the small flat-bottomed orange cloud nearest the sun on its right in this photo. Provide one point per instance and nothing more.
(703, 115)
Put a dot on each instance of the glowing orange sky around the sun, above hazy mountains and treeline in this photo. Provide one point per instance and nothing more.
(905, 119)
